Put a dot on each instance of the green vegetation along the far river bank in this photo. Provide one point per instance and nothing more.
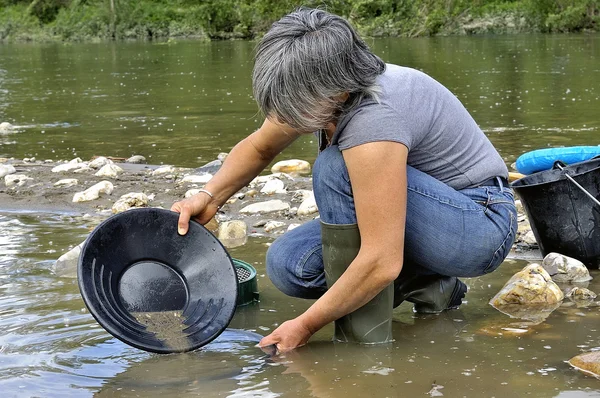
(221, 19)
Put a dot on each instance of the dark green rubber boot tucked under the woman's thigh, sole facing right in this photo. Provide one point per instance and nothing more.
(431, 294)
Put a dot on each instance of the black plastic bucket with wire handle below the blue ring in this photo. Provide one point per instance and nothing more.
(563, 218)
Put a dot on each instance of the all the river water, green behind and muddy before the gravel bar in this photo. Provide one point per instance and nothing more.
(182, 103)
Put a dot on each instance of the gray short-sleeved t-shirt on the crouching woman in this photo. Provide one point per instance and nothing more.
(442, 138)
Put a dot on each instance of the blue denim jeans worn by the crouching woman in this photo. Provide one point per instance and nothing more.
(463, 233)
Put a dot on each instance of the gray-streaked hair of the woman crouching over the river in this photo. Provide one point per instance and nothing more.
(305, 62)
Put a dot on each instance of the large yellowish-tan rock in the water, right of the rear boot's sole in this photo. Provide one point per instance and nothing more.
(532, 285)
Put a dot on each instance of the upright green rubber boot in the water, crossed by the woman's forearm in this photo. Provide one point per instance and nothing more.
(372, 323)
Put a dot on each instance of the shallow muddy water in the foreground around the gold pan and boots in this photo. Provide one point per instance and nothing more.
(51, 346)
